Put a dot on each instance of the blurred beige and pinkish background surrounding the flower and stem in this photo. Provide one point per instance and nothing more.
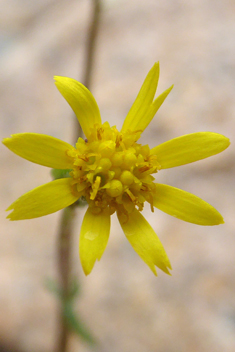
(124, 305)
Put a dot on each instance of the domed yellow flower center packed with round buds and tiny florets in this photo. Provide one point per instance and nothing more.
(112, 171)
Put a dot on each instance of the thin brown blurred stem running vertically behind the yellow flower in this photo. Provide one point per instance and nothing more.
(66, 223)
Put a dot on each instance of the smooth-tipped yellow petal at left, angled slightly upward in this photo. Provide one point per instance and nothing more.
(40, 149)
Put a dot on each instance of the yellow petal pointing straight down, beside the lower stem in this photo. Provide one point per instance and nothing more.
(93, 238)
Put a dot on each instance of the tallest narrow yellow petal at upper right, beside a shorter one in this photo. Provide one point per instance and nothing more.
(135, 119)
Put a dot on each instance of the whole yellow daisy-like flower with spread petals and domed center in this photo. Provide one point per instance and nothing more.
(114, 173)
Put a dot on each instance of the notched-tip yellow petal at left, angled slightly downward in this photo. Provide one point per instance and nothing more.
(43, 200)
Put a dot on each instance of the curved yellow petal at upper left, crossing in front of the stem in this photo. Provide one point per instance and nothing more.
(81, 101)
